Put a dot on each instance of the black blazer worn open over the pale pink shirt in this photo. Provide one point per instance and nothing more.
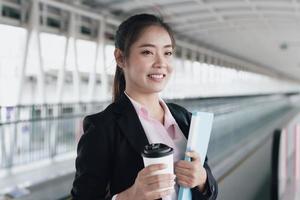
(109, 152)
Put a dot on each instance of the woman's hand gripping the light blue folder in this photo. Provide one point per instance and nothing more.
(191, 174)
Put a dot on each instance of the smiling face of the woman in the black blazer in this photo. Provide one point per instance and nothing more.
(148, 67)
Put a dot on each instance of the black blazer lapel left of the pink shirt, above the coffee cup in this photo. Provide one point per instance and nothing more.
(130, 124)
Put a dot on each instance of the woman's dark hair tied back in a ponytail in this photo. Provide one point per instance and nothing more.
(129, 32)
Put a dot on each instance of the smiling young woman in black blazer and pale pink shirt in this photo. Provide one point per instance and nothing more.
(109, 164)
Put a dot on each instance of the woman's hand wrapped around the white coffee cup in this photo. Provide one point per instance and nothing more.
(148, 185)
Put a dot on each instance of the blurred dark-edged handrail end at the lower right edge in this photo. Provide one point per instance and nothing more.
(284, 157)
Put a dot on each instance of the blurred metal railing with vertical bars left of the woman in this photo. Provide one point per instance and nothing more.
(35, 132)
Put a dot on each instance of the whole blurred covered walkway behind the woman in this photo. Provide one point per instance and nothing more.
(239, 59)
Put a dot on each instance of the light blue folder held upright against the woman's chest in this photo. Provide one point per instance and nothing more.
(199, 134)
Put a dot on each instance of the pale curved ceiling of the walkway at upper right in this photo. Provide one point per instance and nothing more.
(264, 32)
